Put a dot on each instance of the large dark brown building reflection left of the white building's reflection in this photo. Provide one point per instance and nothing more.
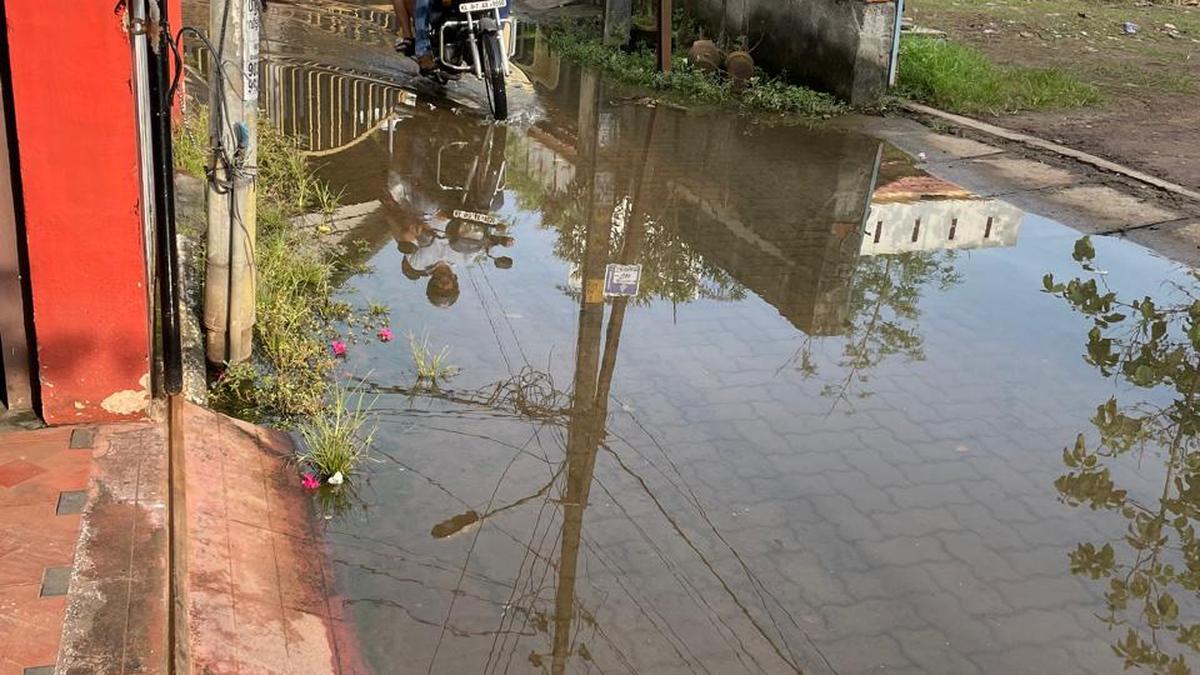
(779, 211)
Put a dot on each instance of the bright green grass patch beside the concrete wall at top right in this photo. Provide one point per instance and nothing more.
(962, 80)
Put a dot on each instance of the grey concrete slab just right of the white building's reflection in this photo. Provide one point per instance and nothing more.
(1096, 208)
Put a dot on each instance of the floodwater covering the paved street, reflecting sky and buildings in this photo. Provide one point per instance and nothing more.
(823, 432)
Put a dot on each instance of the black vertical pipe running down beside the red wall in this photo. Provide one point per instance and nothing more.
(167, 255)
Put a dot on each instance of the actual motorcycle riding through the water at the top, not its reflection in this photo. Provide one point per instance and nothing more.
(471, 37)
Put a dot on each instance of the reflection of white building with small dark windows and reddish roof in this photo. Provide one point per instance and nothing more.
(926, 214)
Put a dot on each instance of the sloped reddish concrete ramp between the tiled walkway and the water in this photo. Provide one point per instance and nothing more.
(262, 588)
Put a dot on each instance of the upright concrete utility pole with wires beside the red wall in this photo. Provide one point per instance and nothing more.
(233, 110)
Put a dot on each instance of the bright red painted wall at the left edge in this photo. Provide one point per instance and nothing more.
(76, 129)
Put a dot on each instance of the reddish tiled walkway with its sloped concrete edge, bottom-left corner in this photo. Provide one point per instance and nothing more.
(85, 552)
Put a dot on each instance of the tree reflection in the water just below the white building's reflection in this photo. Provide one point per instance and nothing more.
(885, 309)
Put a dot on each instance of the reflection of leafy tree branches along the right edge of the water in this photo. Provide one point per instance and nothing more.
(1156, 566)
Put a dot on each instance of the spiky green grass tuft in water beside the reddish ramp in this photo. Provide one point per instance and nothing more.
(338, 439)
